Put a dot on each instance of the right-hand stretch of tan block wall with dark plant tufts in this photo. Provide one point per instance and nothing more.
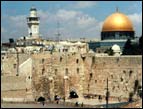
(121, 72)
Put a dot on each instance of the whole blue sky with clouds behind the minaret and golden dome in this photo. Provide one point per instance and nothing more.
(77, 18)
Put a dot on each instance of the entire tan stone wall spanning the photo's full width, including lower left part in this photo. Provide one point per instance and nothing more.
(47, 75)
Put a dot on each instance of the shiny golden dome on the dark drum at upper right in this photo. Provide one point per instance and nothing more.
(117, 22)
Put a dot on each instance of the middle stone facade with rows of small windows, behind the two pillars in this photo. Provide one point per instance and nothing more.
(57, 66)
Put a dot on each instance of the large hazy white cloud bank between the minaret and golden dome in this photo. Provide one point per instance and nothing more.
(73, 24)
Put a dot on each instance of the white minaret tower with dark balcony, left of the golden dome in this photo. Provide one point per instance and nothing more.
(33, 24)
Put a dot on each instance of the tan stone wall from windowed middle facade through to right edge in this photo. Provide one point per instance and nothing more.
(88, 74)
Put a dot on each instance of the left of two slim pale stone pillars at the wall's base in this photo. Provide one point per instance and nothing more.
(51, 88)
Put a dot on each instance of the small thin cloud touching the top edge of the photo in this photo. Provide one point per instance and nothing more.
(85, 4)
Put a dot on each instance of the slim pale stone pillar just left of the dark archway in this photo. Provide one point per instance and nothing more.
(66, 87)
